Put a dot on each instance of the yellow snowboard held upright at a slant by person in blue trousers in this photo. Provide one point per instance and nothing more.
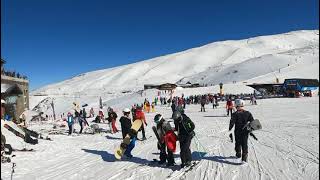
(126, 141)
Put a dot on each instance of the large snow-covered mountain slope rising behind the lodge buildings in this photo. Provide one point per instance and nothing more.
(293, 54)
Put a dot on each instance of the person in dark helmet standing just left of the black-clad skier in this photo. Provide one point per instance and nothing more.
(163, 127)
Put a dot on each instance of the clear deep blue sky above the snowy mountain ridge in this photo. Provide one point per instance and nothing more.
(53, 40)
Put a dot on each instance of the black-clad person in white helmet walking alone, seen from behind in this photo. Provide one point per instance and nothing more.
(240, 119)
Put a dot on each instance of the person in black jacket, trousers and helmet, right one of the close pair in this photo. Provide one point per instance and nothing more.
(185, 128)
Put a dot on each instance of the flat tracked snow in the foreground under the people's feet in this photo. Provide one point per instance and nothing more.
(287, 148)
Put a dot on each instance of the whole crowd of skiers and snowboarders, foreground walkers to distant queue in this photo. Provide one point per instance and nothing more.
(184, 128)
